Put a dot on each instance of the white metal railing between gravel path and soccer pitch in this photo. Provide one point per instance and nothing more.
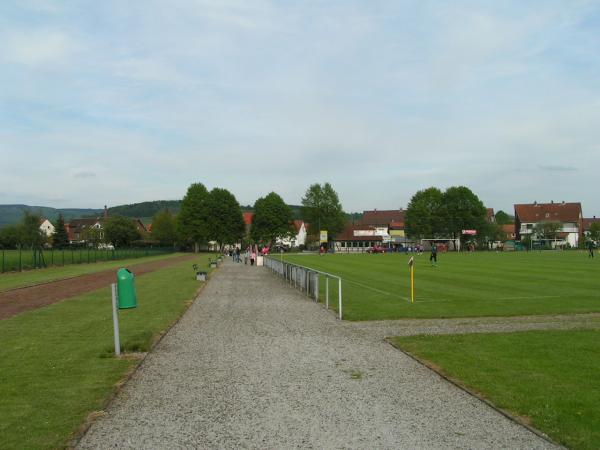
(305, 279)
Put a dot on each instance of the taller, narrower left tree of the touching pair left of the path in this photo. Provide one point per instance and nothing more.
(192, 220)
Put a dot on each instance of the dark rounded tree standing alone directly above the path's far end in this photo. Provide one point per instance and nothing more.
(272, 219)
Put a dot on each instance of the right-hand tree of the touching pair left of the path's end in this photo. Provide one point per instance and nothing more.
(225, 223)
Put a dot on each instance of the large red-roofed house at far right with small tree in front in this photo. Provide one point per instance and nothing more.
(570, 216)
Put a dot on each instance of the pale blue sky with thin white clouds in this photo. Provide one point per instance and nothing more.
(117, 102)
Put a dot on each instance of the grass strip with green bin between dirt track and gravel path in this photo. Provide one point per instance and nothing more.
(56, 363)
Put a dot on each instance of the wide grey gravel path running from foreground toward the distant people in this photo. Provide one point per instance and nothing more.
(253, 364)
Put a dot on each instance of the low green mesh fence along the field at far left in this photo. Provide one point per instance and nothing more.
(17, 260)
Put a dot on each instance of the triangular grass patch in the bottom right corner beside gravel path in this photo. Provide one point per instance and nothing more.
(550, 378)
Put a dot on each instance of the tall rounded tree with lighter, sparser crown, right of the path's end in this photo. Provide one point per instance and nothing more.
(321, 207)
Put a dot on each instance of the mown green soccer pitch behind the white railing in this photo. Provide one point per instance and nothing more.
(377, 286)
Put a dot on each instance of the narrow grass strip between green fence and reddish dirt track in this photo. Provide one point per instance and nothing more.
(14, 280)
